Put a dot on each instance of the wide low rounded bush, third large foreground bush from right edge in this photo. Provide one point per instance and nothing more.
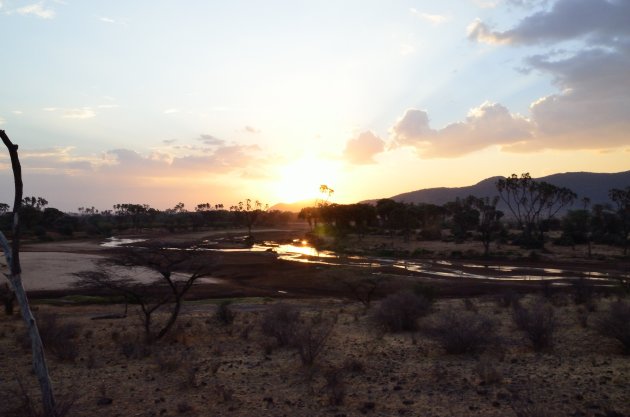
(461, 332)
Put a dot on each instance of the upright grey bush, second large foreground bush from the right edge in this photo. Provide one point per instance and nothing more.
(538, 322)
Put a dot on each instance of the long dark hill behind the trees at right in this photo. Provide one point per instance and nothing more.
(584, 184)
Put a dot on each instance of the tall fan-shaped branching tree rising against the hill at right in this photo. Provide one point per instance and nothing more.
(533, 203)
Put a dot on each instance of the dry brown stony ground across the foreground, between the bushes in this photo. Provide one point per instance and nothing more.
(208, 368)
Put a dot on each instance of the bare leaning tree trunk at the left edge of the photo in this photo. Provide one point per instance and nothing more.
(12, 255)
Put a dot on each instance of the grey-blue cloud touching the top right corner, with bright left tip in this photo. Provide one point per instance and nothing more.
(601, 21)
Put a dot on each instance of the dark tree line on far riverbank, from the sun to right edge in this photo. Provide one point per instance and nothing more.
(532, 209)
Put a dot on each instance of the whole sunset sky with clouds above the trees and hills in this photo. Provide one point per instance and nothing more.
(166, 101)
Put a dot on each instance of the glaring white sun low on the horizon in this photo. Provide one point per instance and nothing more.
(301, 179)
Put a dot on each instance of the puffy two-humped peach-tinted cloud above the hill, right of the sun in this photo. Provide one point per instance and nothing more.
(487, 125)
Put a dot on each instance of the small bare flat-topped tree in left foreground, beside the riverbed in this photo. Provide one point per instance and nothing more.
(166, 293)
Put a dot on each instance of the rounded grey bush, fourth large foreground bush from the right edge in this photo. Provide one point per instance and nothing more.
(401, 311)
